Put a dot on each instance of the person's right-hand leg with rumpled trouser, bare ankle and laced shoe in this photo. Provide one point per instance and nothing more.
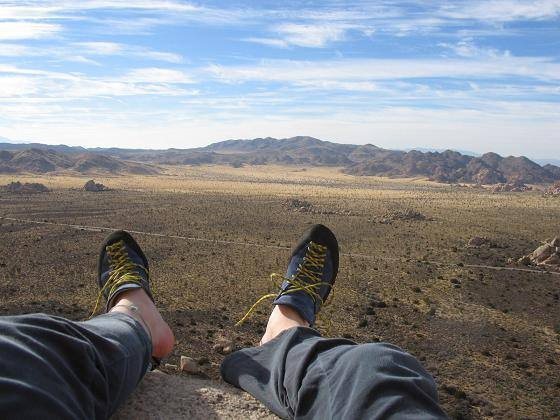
(298, 374)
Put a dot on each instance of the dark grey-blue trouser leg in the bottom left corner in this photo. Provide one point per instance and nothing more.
(51, 367)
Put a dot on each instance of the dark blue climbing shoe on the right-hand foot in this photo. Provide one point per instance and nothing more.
(311, 273)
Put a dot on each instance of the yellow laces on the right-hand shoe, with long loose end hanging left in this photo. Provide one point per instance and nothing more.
(307, 278)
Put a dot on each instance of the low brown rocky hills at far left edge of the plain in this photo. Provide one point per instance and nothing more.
(42, 160)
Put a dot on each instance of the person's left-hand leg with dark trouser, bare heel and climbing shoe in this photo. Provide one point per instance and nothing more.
(51, 367)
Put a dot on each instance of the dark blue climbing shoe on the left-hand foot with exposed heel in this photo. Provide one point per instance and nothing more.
(122, 266)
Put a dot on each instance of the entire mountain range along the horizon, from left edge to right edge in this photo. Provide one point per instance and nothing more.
(447, 166)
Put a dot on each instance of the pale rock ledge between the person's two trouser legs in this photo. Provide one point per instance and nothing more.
(163, 396)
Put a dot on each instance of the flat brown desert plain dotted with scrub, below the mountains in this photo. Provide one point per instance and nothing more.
(487, 330)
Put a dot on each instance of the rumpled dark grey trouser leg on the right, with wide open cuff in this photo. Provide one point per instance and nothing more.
(299, 374)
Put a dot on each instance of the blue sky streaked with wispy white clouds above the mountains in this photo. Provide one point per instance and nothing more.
(477, 75)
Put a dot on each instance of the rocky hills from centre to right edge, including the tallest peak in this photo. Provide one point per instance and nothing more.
(447, 166)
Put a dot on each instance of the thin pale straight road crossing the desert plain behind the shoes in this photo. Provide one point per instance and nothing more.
(226, 242)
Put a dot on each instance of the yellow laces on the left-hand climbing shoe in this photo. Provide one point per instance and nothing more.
(123, 271)
